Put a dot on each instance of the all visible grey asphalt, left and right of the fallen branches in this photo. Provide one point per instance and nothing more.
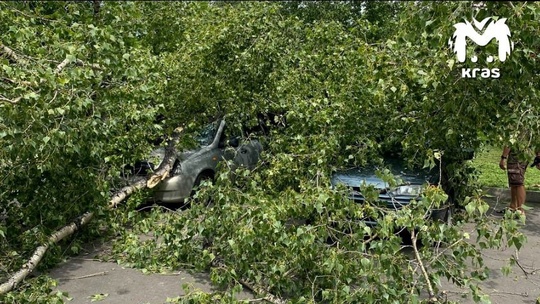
(87, 280)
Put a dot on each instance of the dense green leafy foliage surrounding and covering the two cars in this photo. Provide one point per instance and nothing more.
(89, 87)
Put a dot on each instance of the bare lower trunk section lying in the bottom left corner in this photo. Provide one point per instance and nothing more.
(56, 237)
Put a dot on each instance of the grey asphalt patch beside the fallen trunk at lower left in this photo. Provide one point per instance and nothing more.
(88, 280)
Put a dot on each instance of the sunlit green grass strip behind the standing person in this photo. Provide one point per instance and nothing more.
(487, 163)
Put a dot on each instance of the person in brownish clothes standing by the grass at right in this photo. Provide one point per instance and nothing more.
(515, 169)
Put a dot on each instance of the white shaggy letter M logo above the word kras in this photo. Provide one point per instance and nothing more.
(495, 29)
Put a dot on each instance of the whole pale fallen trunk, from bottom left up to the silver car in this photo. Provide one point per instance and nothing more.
(144, 182)
